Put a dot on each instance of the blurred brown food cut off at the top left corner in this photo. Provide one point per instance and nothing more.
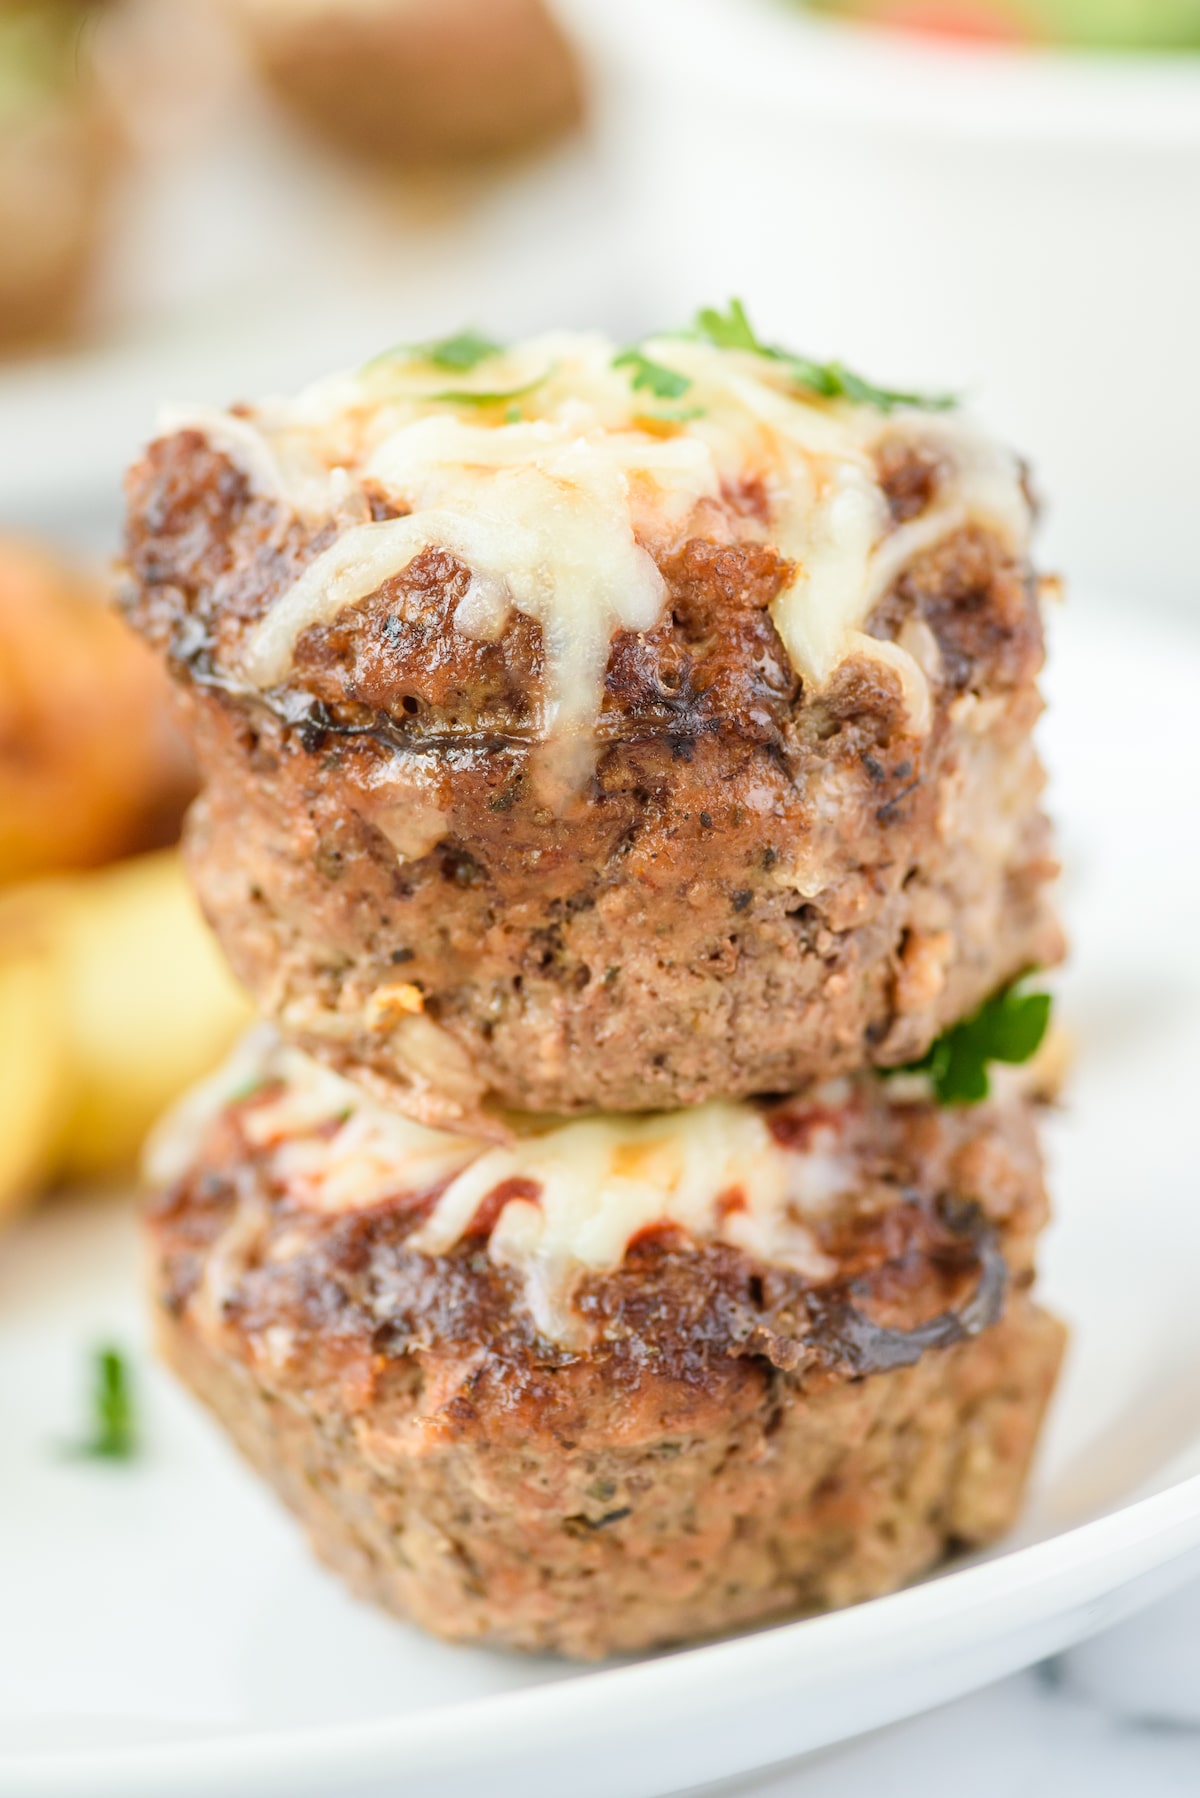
(58, 157)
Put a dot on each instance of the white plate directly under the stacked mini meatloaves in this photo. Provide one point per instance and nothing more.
(165, 1632)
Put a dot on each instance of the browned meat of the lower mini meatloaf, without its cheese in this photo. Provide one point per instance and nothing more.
(737, 1443)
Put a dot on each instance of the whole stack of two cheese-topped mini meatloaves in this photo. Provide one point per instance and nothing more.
(622, 803)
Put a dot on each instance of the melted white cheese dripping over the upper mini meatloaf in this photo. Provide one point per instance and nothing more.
(555, 481)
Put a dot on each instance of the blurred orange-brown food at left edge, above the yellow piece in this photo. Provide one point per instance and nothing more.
(91, 763)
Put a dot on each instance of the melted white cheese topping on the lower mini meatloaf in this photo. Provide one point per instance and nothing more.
(582, 1191)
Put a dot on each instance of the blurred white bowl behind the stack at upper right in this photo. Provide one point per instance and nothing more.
(1017, 226)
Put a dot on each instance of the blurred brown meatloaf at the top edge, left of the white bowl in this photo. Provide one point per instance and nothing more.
(418, 82)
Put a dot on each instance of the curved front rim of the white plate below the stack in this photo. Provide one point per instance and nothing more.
(1131, 1542)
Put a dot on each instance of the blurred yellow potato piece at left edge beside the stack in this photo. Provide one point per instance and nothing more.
(114, 997)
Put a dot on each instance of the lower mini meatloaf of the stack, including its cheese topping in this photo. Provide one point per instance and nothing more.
(627, 1382)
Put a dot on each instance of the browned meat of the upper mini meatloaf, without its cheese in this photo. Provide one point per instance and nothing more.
(758, 887)
